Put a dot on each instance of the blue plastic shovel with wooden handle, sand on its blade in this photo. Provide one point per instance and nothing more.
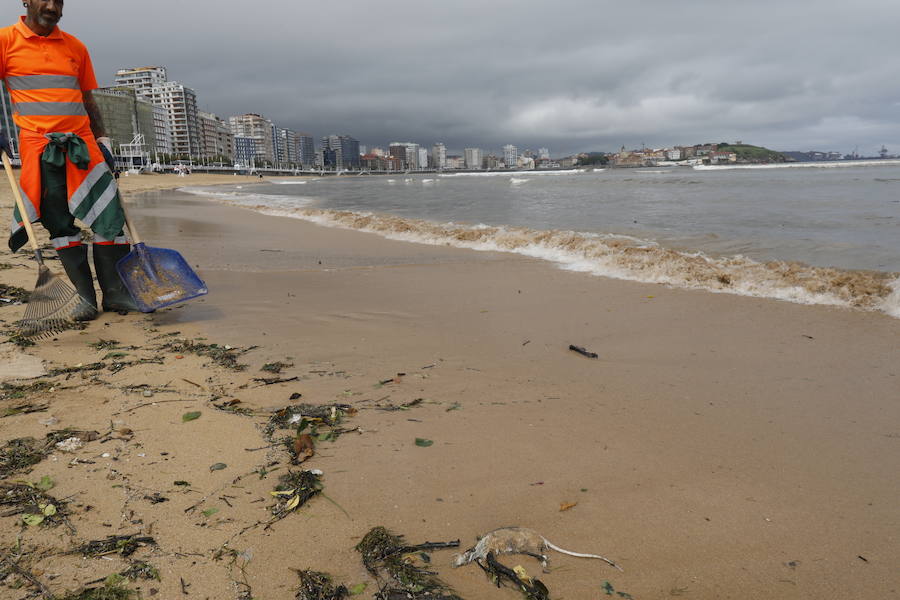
(157, 277)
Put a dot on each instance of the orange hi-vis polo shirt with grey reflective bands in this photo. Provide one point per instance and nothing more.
(45, 77)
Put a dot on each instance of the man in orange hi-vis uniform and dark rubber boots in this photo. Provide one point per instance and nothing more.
(65, 174)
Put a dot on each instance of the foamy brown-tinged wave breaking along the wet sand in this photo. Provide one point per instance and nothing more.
(621, 257)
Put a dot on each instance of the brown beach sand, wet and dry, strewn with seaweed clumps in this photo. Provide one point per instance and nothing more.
(719, 447)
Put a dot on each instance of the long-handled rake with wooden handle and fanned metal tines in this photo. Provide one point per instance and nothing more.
(54, 302)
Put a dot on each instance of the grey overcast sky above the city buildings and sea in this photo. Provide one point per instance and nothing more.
(568, 75)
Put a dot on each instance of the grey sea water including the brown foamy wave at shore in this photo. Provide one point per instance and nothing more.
(817, 233)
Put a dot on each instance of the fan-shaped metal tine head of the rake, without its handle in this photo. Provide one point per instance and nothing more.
(54, 306)
